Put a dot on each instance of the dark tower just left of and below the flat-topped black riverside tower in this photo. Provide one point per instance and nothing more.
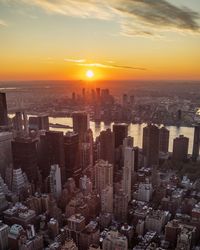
(107, 145)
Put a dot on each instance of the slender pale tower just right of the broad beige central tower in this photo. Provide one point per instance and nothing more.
(128, 170)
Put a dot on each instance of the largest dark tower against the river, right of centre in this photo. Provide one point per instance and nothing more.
(150, 144)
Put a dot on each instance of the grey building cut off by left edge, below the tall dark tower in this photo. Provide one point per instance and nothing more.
(5, 152)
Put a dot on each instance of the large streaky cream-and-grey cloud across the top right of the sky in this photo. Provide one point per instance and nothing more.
(135, 17)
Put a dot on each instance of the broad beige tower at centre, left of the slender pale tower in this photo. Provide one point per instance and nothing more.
(103, 175)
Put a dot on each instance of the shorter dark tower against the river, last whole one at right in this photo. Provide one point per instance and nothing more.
(180, 148)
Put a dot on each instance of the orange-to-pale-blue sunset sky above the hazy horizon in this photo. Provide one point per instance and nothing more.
(115, 39)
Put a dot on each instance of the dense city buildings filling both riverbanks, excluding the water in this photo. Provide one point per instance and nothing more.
(69, 191)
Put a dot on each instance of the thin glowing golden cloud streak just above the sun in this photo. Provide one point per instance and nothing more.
(103, 65)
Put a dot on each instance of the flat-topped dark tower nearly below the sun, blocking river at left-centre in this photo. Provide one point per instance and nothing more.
(80, 123)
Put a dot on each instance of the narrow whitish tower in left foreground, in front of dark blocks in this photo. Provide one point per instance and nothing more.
(55, 181)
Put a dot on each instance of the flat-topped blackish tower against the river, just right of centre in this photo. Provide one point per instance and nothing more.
(120, 131)
